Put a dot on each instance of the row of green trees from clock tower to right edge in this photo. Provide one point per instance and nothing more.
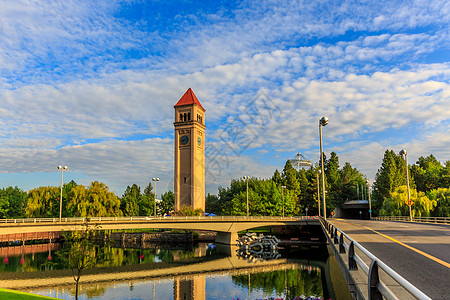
(429, 185)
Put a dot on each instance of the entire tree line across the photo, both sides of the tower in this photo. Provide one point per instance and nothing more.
(429, 184)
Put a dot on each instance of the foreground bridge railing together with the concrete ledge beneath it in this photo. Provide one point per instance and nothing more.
(378, 278)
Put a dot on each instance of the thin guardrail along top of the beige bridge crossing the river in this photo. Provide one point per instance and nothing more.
(167, 218)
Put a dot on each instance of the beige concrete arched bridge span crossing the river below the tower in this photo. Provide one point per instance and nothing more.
(227, 228)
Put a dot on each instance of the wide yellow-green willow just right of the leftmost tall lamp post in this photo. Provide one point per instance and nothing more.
(95, 201)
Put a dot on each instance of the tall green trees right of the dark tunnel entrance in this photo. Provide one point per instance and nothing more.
(429, 187)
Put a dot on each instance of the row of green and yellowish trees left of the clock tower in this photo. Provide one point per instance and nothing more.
(81, 201)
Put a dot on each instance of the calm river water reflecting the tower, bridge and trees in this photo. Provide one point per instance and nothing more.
(197, 271)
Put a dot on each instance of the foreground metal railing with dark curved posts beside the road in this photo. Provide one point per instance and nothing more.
(376, 288)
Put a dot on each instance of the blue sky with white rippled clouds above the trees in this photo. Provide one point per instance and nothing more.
(92, 85)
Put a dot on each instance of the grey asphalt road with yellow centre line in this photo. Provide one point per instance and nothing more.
(429, 271)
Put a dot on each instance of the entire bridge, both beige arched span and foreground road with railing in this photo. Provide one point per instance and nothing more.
(379, 258)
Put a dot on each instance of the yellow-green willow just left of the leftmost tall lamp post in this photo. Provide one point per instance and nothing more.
(43, 202)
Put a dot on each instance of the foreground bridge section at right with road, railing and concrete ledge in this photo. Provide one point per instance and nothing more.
(388, 259)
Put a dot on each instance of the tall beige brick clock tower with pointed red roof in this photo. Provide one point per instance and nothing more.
(189, 152)
